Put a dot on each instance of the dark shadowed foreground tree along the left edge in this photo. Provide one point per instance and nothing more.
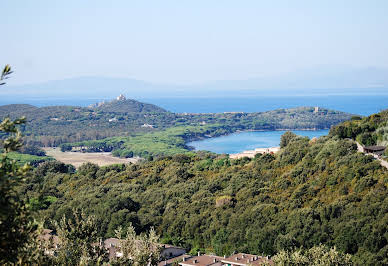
(17, 229)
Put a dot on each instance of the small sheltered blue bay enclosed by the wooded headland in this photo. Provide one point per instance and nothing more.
(242, 141)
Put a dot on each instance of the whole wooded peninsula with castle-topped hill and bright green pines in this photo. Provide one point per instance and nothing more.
(130, 128)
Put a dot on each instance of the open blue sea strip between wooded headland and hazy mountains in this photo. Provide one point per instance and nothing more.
(355, 104)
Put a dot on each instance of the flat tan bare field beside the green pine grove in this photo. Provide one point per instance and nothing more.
(78, 158)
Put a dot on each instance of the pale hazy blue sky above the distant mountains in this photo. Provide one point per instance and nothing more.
(188, 41)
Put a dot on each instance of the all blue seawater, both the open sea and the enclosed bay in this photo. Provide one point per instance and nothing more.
(355, 104)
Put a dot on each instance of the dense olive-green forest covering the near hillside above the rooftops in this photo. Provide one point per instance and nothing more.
(311, 192)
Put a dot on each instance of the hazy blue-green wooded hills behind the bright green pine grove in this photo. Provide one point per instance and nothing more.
(54, 125)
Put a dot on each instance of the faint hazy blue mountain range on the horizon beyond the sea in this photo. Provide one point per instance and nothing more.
(322, 80)
